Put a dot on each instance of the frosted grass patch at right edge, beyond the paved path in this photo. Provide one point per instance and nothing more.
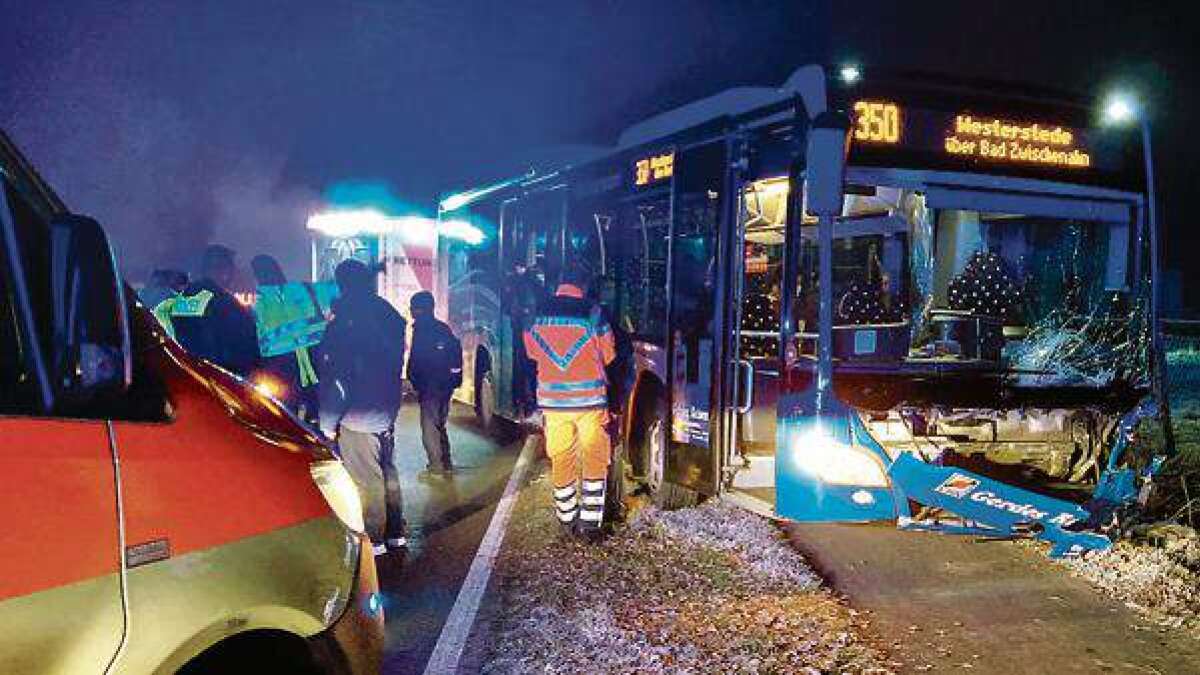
(1159, 575)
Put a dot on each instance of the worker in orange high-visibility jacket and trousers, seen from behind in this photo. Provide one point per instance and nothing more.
(571, 344)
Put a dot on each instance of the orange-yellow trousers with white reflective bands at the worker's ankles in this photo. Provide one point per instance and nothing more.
(579, 449)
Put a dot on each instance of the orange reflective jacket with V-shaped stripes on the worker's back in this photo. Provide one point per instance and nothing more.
(572, 344)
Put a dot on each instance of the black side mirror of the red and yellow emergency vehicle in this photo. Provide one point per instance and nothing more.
(92, 354)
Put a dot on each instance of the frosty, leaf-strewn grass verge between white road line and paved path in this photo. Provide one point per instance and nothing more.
(711, 589)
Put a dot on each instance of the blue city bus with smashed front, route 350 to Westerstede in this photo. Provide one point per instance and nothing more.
(849, 298)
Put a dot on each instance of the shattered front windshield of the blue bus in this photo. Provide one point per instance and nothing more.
(1045, 296)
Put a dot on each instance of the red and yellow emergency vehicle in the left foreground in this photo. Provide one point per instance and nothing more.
(158, 513)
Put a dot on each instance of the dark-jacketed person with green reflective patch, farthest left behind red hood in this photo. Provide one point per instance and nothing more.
(211, 322)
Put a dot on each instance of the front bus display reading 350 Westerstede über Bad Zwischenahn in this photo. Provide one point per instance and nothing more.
(965, 135)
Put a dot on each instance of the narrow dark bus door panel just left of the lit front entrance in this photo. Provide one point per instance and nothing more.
(699, 337)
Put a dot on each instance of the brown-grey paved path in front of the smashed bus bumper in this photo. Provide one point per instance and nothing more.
(947, 604)
